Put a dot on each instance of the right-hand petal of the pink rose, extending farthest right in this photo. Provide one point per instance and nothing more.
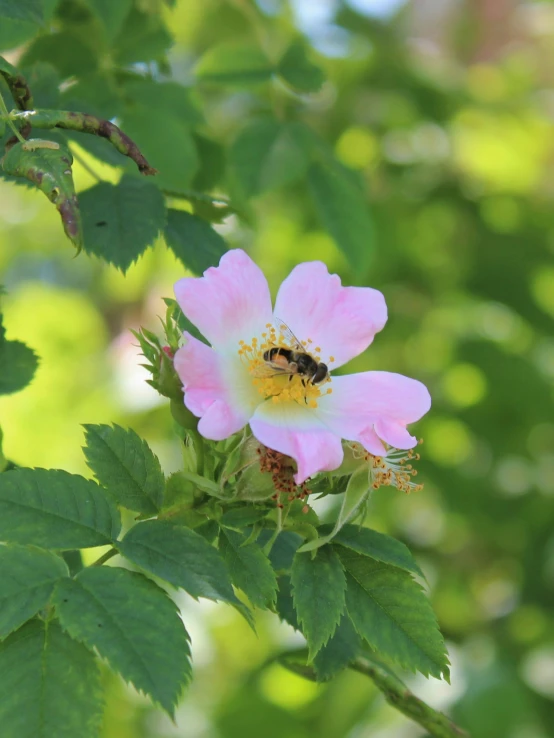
(371, 405)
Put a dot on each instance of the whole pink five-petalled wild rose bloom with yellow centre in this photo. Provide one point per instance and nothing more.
(226, 384)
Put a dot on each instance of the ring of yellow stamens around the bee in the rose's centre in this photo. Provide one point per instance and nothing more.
(278, 380)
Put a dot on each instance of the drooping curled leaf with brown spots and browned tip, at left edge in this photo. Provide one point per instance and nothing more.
(47, 164)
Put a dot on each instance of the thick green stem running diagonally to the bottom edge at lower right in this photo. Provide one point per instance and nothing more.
(408, 704)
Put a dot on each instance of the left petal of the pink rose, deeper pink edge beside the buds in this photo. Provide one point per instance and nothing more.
(217, 389)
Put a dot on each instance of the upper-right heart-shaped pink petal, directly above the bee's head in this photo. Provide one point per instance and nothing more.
(342, 321)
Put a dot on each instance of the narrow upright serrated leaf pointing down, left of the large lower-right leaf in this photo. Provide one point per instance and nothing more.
(318, 586)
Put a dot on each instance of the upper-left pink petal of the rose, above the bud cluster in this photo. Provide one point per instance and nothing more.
(230, 302)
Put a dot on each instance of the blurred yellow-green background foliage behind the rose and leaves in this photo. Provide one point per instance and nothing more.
(445, 109)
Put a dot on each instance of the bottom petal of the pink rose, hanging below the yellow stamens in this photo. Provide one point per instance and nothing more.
(296, 431)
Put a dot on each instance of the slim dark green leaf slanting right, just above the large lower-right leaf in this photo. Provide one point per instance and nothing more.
(378, 546)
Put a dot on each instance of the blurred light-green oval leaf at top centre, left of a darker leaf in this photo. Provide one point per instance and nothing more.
(234, 65)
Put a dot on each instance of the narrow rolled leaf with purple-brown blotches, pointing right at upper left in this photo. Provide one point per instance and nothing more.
(85, 123)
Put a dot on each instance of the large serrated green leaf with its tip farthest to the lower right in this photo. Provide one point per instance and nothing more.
(389, 609)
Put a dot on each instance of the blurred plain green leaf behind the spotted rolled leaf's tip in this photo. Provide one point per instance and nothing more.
(167, 143)
